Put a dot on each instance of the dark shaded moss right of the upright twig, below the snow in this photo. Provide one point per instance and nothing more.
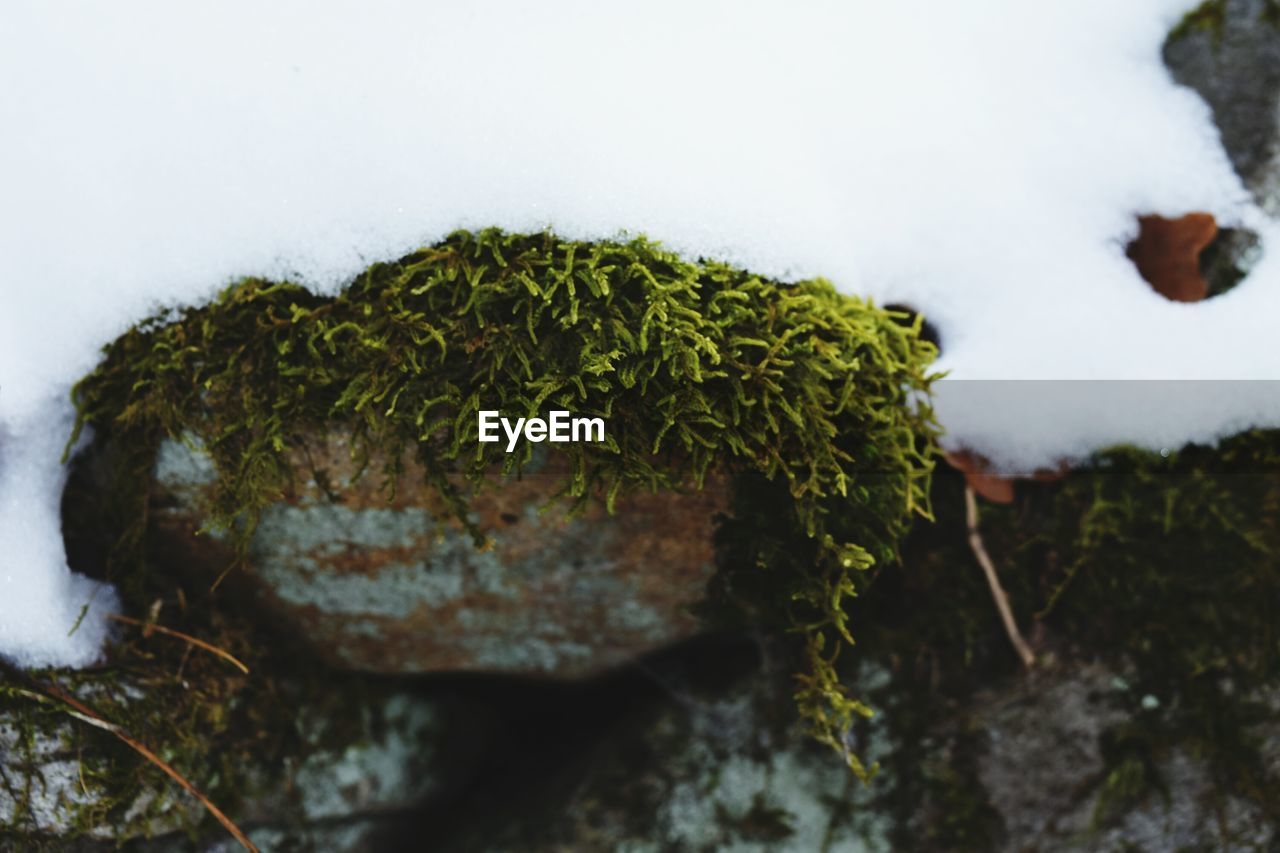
(1172, 567)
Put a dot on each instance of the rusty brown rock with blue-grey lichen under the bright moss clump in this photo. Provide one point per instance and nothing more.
(399, 586)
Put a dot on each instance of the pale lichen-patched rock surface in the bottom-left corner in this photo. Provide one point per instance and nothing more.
(341, 782)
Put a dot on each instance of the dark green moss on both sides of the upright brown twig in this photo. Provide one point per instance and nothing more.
(1167, 571)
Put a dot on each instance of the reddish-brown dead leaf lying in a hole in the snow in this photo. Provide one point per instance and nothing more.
(1167, 254)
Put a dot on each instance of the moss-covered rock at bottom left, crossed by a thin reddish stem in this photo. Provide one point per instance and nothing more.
(335, 760)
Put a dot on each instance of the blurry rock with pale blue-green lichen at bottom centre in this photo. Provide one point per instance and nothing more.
(714, 769)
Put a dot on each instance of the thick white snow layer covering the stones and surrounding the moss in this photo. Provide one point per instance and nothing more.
(982, 162)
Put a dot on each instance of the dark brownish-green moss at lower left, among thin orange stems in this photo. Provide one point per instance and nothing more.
(226, 732)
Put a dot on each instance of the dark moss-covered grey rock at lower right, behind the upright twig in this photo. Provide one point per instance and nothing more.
(1164, 572)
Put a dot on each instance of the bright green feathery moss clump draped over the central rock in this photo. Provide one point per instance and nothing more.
(697, 368)
